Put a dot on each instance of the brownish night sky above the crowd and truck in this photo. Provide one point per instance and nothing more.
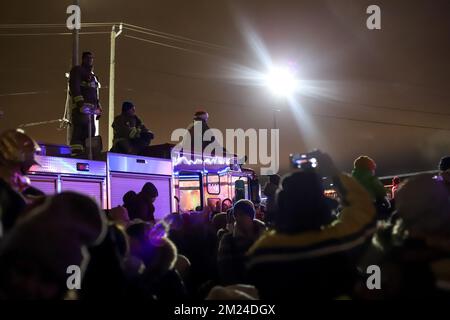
(383, 93)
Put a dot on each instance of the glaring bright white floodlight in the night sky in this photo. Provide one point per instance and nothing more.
(281, 81)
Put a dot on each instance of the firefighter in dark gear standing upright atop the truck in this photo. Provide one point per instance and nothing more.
(83, 85)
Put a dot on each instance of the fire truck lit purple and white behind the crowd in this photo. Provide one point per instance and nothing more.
(185, 182)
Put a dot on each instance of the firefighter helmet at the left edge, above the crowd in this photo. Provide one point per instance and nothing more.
(17, 148)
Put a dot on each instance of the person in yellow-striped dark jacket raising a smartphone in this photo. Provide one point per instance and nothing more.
(308, 254)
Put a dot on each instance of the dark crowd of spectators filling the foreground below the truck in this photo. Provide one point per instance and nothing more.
(297, 244)
